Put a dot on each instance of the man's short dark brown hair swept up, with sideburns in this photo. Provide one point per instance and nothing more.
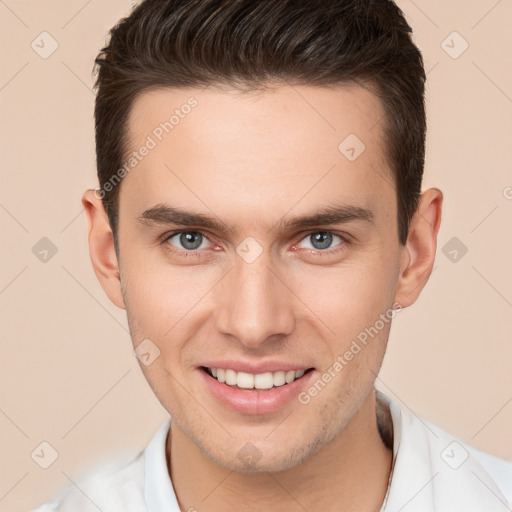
(249, 43)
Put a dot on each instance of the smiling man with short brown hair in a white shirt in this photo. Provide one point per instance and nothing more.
(260, 218)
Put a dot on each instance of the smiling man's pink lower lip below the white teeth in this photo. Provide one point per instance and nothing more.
(253, 401)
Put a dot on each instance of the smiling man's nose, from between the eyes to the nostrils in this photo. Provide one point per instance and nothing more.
(256, 304)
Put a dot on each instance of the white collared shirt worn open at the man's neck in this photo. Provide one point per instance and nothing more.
(432, 472)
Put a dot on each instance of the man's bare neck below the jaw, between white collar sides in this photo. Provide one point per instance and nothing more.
(354, 467)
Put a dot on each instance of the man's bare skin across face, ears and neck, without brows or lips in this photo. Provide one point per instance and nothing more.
(252, 160)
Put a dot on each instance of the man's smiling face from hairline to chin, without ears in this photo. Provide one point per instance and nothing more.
(252, 243)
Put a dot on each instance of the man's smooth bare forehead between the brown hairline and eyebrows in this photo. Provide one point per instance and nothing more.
(284, 146)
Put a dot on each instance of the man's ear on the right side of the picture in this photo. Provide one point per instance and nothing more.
(419, 252)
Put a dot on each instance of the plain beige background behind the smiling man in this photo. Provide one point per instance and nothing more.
(68, 376)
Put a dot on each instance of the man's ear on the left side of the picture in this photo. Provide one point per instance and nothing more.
(101, 247)
